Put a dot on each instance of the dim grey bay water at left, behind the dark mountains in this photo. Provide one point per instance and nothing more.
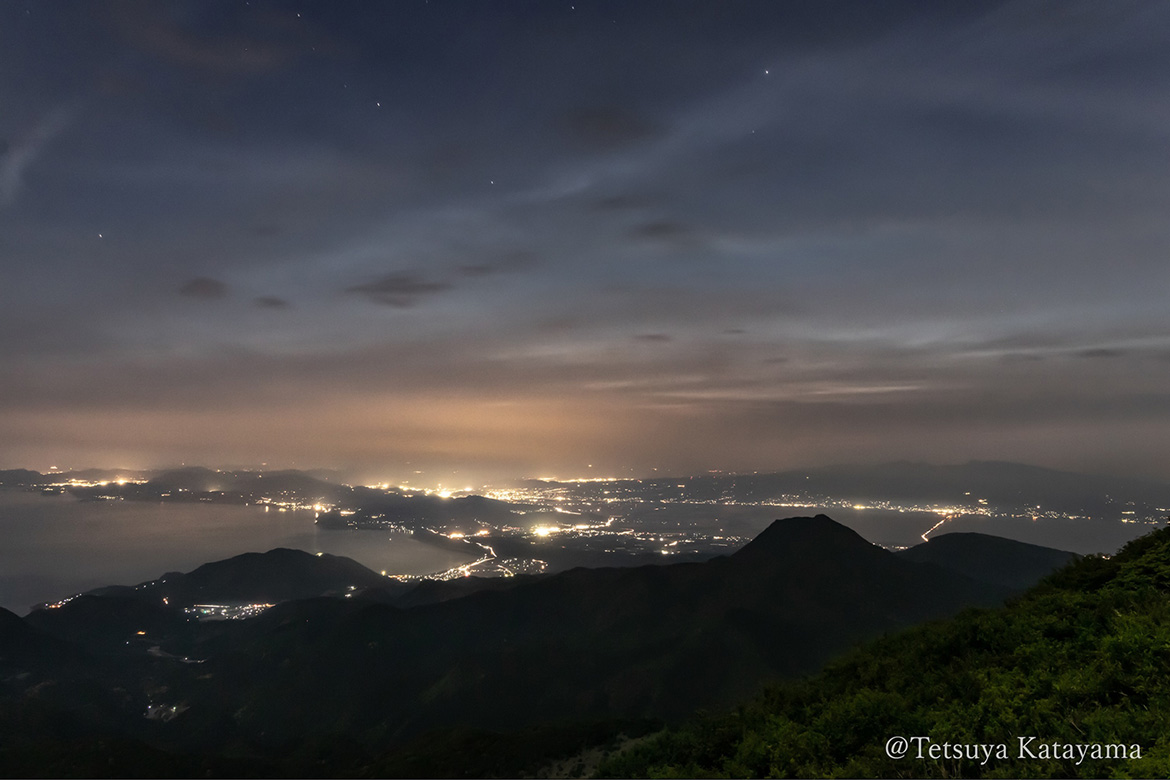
(54, 547)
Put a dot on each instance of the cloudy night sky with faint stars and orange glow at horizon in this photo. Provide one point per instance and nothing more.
(584, 239)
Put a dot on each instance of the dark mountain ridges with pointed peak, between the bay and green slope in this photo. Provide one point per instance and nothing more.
(356, 672)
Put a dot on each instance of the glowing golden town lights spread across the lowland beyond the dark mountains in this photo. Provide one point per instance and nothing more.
(542, 526)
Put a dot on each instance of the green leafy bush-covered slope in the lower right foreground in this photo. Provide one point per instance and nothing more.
(1082, 660)
